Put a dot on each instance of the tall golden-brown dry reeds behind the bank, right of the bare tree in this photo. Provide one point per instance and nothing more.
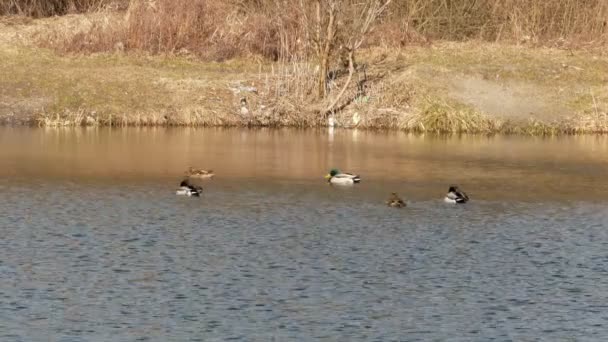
(525, 21)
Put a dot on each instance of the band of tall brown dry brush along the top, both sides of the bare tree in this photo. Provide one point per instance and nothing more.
(220, 30)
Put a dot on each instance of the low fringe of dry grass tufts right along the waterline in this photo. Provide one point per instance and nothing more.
(437, 118)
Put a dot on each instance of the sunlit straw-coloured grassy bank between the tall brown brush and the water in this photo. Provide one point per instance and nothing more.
(475, 87)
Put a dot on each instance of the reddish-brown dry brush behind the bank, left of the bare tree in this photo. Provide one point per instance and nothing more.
(210, 30)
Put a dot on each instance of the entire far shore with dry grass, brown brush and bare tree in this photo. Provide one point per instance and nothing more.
(426, 66)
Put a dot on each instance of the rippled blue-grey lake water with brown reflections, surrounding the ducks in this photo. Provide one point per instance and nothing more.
(95, 246)
